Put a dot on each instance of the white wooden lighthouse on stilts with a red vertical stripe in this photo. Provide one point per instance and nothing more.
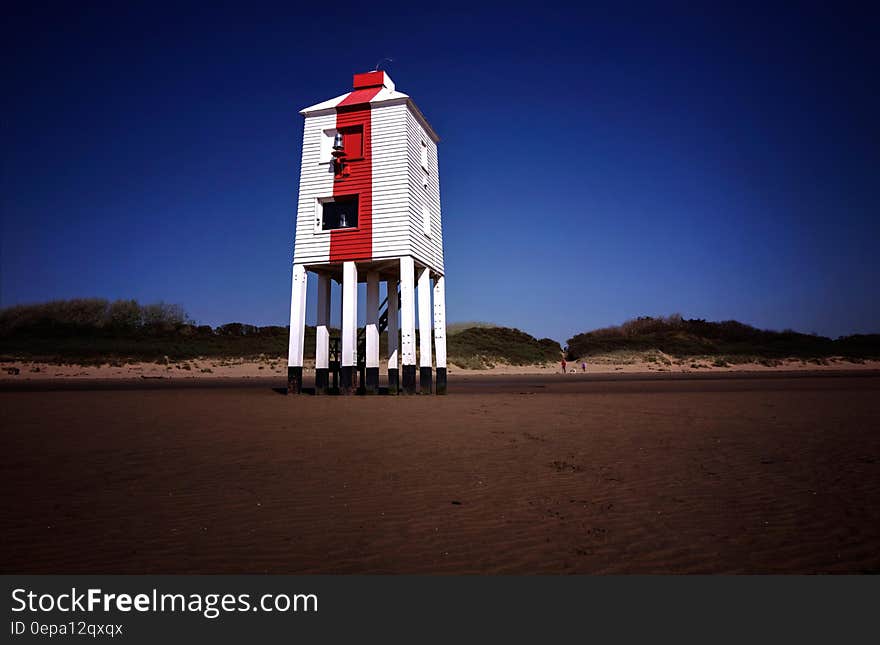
(369, 211)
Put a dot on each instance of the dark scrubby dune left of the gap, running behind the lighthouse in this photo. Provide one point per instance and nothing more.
(94, 331)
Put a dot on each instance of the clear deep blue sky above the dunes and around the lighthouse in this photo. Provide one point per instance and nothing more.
(597, 163)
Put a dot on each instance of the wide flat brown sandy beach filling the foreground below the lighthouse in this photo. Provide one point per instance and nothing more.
(720, 473)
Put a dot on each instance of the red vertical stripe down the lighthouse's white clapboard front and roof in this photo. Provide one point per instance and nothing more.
(354, 110)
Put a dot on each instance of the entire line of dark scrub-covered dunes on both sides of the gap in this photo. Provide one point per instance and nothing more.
(89, 331)
